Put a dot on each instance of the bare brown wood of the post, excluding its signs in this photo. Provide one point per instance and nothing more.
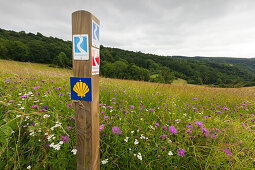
(86, 112)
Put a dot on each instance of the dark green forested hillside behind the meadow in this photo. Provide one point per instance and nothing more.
(123, 64)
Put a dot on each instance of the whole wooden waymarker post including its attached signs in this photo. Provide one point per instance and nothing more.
(85, 88)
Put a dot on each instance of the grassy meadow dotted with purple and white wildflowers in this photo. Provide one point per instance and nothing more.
(143, 125)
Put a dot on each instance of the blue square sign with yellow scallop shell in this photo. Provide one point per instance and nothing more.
(81, 88)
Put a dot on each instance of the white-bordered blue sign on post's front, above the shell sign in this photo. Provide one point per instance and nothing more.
(80, 47)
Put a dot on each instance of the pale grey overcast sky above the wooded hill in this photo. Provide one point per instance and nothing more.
(164, 27)
